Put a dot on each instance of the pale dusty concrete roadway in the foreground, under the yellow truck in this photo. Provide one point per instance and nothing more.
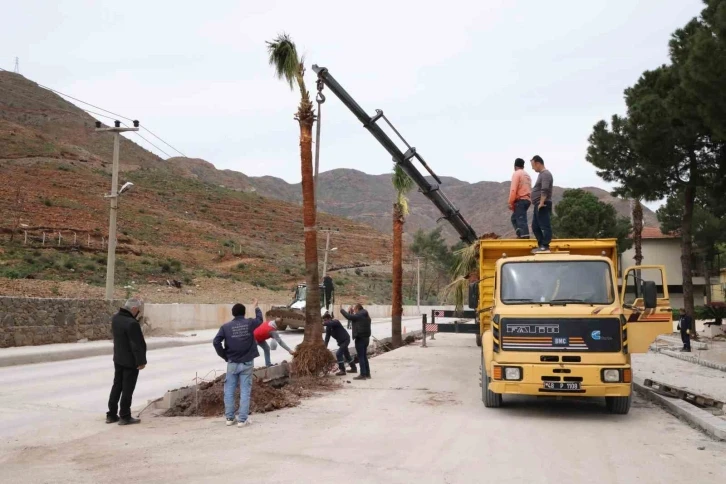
(420, 419)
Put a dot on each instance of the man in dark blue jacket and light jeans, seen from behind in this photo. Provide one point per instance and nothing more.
(239, 351)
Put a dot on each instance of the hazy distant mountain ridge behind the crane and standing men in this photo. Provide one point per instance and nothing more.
(368, 198)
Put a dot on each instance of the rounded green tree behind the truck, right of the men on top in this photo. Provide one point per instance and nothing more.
(581, 215)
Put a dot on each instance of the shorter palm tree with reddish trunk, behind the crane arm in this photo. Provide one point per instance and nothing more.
(403, 184)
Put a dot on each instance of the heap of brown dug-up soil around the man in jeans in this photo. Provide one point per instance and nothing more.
(265, 397)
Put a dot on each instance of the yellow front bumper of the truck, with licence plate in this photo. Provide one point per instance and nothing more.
(589, 377)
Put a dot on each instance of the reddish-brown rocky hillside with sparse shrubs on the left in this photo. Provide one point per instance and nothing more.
(177, 222)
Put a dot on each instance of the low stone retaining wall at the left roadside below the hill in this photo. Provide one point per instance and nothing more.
(38, 321)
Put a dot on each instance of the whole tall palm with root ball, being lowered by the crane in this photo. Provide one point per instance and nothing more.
(311, 357)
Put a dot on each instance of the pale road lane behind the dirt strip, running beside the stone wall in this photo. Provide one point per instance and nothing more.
(61, 391)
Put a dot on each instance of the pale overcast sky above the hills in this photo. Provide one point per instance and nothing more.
(472, 84)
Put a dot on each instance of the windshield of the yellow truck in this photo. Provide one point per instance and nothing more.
(557, 282)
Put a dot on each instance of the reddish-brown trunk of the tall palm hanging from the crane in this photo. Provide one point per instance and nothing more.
(313, 325)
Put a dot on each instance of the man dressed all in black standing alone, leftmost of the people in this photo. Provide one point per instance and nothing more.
(129, 356)
